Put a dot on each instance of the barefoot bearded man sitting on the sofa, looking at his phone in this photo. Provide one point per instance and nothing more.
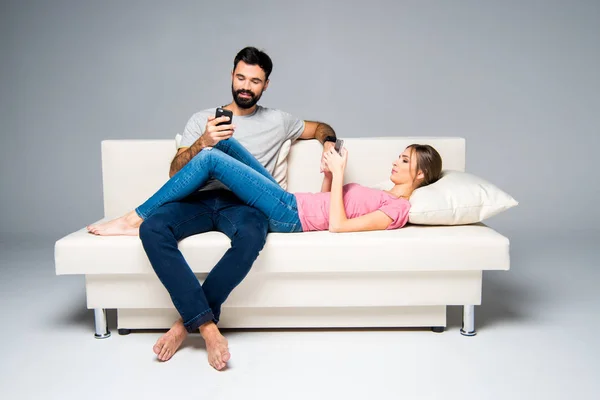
(262, 131)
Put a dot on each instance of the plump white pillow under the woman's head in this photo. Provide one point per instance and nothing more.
(457, 198)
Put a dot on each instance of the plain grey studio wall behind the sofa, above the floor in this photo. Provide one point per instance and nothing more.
(519, 80)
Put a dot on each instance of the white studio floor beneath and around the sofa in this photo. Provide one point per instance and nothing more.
(537, 339)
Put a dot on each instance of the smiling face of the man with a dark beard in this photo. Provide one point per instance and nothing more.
(248, 82)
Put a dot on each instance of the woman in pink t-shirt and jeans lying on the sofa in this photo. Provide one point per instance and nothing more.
(337, 208)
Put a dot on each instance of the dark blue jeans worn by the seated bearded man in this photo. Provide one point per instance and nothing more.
(201, 212)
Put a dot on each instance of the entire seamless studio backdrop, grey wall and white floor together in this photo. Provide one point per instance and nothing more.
(518, 79)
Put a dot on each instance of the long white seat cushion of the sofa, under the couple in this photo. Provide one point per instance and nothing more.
(412, 248)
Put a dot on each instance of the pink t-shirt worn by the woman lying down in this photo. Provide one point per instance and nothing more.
(313, 208)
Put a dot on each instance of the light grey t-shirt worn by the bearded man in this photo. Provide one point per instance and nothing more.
(262, 133)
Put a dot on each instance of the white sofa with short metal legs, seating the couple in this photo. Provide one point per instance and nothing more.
(399, 278)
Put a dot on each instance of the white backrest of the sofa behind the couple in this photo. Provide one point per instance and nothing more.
(132, 170)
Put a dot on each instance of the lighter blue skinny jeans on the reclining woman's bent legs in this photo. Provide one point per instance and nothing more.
(234, 166)
